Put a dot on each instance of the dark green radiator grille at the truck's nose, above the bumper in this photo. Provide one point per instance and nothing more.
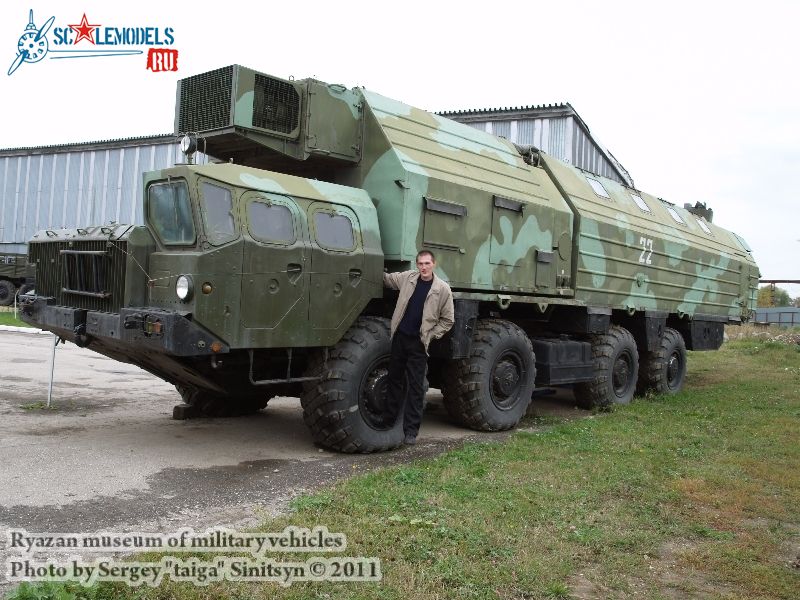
(81, 274)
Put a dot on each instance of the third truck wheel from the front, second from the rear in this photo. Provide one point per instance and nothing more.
(616, 365)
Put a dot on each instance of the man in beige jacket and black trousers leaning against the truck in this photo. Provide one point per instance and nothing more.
(424, 312)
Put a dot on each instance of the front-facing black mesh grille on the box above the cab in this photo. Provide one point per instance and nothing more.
(205, 101)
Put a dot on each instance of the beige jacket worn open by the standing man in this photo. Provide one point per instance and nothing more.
(437, 313)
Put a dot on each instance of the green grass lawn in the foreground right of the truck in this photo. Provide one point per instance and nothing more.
(695, 495)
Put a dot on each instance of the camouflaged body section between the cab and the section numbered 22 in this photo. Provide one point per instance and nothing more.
(464, 168)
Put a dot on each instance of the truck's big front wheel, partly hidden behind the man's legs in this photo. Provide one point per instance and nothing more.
(345, 408)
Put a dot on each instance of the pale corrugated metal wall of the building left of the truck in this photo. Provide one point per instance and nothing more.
(76, 188)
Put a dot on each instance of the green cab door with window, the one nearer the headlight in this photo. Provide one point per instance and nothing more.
(274, 309)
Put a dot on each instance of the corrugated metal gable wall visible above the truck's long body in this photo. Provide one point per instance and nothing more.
(560, 137)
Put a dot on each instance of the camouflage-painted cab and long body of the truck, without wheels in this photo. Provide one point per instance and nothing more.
(533, 234)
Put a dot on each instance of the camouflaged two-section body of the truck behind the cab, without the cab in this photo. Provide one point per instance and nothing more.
(434, 183)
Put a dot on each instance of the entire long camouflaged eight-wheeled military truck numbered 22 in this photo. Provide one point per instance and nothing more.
(262, 275)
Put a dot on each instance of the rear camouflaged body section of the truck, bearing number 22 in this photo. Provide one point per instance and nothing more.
(689, 271)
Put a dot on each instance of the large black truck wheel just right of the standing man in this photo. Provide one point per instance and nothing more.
(491, 390)
